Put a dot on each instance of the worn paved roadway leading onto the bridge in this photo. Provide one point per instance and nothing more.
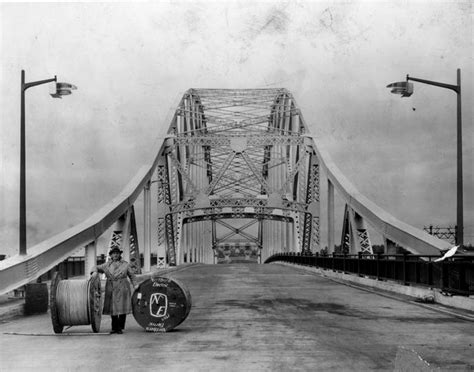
(256, 318)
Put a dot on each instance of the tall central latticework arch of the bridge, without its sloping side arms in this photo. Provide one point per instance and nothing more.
(235, 159)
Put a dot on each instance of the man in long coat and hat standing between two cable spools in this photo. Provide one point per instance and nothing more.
(118, 297)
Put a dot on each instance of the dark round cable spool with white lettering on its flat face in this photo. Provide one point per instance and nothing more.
(160, 304)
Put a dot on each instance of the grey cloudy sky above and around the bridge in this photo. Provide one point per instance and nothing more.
(131, 61)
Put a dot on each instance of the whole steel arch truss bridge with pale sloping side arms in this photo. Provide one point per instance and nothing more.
(236, 172)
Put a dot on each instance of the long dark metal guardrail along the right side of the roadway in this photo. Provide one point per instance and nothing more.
(453, 275)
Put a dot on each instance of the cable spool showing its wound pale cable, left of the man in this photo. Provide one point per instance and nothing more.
(75, 302)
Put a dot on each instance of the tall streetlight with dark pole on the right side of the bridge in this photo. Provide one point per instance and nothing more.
(406, 90)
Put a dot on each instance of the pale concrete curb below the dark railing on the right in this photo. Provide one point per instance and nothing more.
(420, 293)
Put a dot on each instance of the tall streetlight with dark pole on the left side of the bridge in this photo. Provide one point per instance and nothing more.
(62, 89)
